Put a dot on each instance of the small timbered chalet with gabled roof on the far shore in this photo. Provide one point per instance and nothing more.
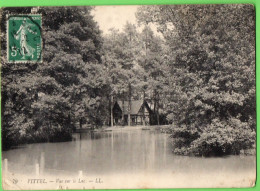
(140, 113)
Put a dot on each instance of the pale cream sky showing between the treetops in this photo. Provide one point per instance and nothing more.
(116, 17)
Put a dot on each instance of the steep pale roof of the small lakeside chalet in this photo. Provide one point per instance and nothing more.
(135, 106)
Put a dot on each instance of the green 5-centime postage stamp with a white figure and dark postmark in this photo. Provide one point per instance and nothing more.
(24, 39)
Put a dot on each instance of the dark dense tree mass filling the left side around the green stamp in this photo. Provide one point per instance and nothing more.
(68, 89)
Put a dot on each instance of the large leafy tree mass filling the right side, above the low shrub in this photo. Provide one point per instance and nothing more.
(211, 56)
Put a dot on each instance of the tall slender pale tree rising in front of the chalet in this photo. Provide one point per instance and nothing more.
(121, 50)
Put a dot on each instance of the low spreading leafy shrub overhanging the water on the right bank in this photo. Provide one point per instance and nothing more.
(217, 139)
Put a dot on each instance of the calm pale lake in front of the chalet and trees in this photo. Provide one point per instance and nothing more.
(122, 152)
